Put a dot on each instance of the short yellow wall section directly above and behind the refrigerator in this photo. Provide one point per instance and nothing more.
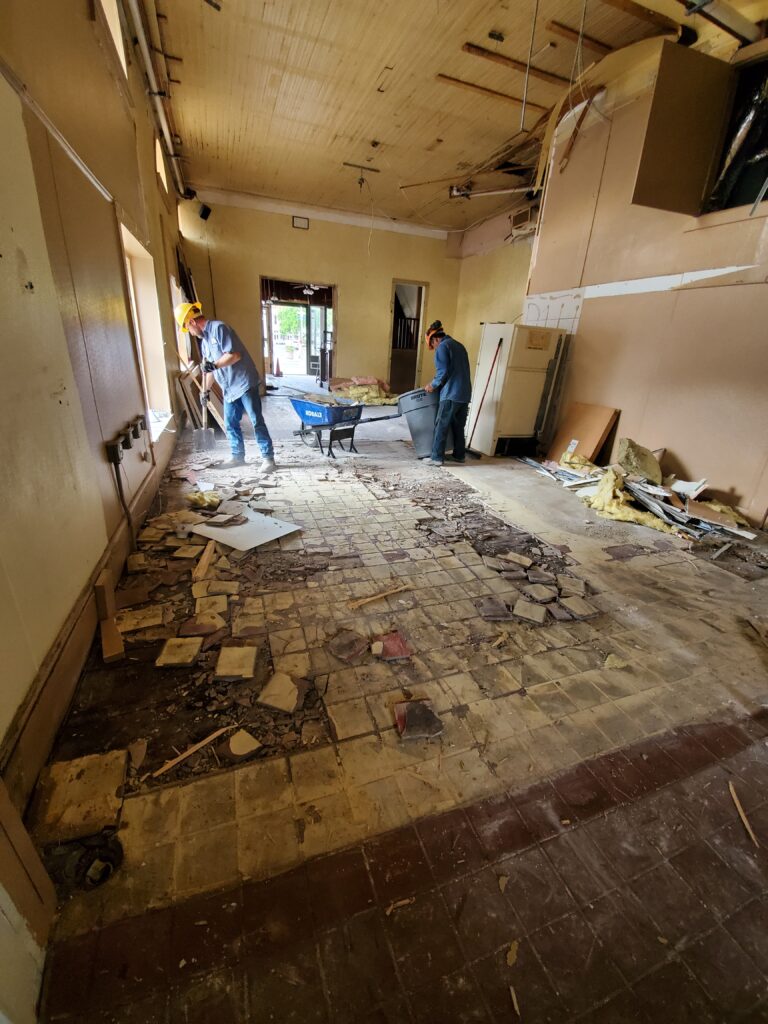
(492, 288)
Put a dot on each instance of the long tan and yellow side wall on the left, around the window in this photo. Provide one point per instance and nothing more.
(60, 233)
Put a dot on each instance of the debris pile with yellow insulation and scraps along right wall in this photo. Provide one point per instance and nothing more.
(633, 490)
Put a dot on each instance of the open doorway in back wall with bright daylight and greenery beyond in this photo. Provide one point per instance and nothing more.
(297, 325)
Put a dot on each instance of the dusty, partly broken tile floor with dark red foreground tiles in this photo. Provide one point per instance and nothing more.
(568, 846)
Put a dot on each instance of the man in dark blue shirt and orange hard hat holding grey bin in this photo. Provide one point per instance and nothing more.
(453, 381)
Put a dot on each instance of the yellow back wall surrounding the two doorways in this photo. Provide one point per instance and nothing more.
(246, 245)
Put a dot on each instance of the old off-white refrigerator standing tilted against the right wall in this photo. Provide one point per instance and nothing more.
(508, 382)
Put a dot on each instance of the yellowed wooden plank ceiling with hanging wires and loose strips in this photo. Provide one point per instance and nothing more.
(275, 96)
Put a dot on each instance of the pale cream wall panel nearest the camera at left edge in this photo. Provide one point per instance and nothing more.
(52, 522)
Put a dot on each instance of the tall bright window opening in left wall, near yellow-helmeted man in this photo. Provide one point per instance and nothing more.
(147, 325)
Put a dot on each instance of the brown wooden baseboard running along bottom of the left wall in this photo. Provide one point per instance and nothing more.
(31, 737)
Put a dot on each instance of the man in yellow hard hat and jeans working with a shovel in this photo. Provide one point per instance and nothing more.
(227, 361)
